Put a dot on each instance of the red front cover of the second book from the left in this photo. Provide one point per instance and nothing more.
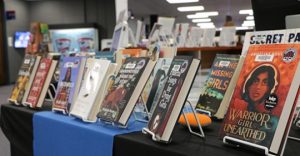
(38, 81)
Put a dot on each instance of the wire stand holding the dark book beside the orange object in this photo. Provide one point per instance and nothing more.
(199, 134)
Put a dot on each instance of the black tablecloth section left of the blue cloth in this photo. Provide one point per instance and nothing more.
(16, 124)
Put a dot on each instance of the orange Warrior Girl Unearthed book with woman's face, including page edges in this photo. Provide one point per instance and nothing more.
(262, 104)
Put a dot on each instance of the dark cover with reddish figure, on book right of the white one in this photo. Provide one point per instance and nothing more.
(121, 91)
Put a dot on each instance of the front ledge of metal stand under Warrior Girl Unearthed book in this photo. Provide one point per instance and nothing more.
(238, 143)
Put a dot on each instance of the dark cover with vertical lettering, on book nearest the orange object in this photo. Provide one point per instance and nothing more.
(170, 94)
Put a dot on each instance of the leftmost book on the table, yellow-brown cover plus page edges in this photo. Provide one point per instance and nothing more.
(25, 76)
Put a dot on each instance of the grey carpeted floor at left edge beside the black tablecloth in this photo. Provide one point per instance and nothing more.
(4, 143)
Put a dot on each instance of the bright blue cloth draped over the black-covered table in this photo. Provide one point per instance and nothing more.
(59, 135)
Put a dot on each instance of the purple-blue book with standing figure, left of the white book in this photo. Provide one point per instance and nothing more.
(71, 71)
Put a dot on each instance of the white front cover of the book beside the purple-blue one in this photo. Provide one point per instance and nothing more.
(89, 90)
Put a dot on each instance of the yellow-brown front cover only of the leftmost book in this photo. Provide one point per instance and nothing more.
(23, 78)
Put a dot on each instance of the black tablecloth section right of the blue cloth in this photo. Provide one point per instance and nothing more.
(185, 144)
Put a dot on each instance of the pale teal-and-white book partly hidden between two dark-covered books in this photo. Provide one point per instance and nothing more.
(154, 85)
